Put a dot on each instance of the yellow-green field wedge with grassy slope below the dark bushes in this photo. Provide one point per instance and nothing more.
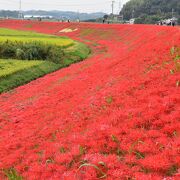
(21, 72)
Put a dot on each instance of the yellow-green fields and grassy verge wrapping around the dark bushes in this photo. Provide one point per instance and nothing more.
(14, 73)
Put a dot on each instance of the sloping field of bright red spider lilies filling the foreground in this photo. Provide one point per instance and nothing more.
(114, 115)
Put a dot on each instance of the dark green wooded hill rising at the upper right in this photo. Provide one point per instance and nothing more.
(150, 11)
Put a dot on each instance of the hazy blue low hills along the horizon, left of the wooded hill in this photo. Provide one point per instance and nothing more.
(55, 14)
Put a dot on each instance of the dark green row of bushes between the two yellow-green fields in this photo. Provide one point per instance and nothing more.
(31, 51)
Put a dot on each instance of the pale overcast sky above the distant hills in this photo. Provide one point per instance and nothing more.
(64, 5)
